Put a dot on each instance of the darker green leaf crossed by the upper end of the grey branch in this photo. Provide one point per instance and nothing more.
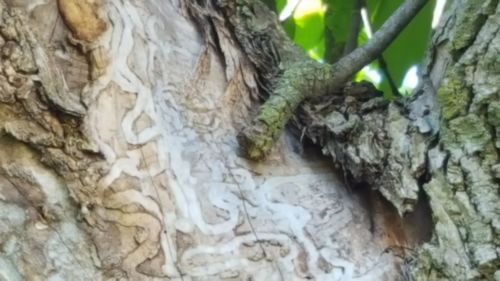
(409, 47)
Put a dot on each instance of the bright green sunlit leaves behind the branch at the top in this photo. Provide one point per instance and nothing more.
(321, 28)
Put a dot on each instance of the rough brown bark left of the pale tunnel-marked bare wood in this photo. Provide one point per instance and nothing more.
(39, 229)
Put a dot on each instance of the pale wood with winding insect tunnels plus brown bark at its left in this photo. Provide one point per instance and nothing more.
(119, 158)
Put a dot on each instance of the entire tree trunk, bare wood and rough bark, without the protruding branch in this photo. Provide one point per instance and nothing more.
(119, 158)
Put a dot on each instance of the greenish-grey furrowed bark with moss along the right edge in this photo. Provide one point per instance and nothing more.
(463, 67)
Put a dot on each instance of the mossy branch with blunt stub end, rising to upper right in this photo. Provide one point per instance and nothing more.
(304, 78)
